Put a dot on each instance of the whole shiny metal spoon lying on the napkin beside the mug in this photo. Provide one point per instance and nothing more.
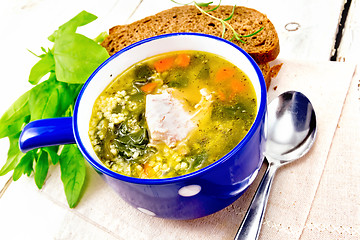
(291, 134)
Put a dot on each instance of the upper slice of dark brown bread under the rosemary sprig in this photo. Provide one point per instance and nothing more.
(263, 47)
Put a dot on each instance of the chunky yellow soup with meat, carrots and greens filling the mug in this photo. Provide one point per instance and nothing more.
(172, 114)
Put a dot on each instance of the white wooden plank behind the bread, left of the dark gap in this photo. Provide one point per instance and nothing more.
(317, 24)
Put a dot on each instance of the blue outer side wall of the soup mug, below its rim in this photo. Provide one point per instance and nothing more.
(220, 186)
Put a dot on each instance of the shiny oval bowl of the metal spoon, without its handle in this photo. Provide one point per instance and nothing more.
(291, 127)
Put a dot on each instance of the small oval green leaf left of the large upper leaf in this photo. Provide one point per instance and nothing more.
(45, 65)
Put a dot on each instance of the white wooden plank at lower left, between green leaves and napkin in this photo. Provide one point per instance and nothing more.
(26, 213)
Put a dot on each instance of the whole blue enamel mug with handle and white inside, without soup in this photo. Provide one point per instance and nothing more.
(190, 196)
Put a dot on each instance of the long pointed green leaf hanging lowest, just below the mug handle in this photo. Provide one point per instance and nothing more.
(73, 170)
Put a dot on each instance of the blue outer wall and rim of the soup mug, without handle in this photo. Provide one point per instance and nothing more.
(221, 183)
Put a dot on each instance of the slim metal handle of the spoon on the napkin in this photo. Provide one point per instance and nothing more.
(250, 227)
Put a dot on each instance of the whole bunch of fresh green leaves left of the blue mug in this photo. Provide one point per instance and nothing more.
(70, 62)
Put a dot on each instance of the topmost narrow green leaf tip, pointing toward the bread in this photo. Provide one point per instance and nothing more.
(71, 26)
